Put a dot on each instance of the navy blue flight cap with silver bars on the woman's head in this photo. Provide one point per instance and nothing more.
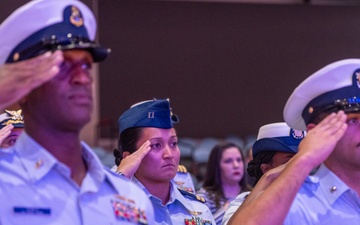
(151, 113)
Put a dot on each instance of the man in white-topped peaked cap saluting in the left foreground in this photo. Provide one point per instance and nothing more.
(49, 176)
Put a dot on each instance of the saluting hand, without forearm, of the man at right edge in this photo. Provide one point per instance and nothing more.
(322, 138)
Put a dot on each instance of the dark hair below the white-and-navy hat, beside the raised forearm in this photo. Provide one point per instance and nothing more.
(254, 169)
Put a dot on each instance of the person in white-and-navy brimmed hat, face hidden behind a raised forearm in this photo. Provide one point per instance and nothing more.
(276, 144)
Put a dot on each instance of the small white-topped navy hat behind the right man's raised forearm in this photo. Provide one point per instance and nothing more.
(277, 137)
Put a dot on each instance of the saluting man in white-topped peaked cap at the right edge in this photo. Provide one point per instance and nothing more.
(327, 105)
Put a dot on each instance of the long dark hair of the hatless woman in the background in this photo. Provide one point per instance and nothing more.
(212, 181)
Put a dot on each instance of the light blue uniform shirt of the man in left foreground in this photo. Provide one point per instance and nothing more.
(35, 188)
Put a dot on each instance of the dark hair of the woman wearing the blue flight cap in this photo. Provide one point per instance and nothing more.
(127, 142)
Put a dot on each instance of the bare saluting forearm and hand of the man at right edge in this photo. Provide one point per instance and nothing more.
(281, 184)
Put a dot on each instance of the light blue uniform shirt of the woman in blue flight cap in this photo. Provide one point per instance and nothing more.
(179, 208)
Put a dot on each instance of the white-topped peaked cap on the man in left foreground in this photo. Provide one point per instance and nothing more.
(48, 25)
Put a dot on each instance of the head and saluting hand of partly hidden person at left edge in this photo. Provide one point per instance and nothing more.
(11, 126)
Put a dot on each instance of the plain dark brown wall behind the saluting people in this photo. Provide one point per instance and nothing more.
(228, 68)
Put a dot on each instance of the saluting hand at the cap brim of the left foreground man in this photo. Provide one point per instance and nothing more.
(19, 78)
